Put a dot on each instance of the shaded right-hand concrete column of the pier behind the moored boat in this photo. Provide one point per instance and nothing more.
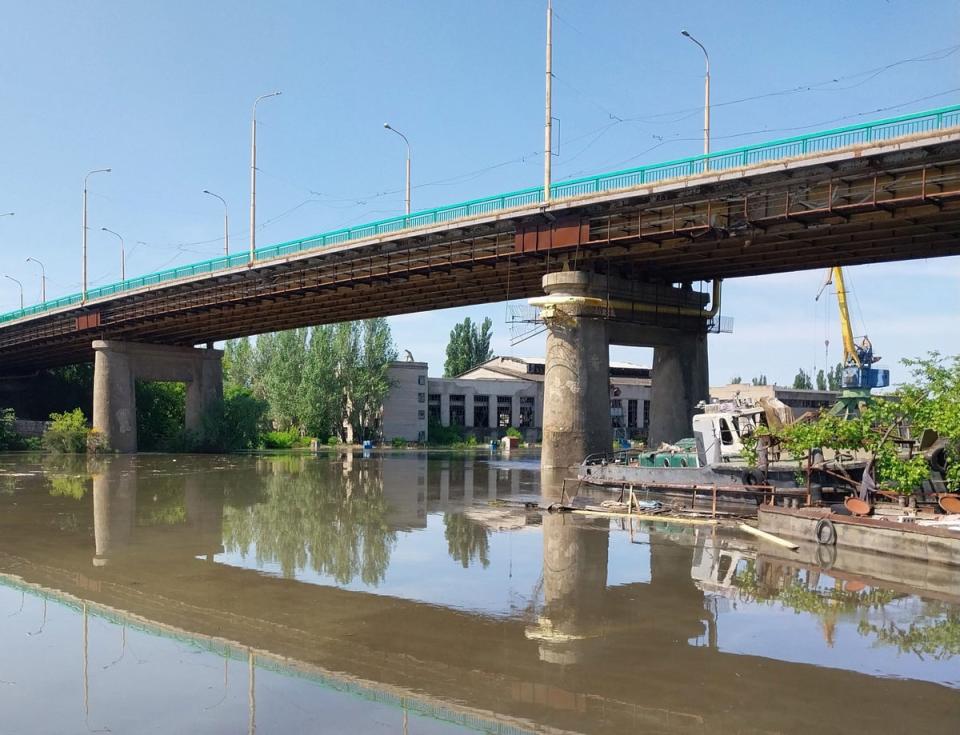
(680, 381)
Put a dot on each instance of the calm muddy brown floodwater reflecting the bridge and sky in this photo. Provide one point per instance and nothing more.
(388, 594)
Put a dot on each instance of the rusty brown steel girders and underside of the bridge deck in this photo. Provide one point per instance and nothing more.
(894, 205)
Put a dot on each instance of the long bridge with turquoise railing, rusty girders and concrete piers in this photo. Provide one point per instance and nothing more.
(613, 247)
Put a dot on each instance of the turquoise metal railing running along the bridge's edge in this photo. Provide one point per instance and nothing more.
(751, 155)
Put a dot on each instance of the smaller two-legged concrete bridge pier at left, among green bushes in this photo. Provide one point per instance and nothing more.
(117, 367)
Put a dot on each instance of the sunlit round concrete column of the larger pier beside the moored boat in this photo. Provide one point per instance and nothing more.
(576, 410)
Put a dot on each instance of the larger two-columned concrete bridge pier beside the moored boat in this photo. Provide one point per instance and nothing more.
(585, 313)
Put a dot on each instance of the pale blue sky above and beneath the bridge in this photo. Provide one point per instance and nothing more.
(161, 92)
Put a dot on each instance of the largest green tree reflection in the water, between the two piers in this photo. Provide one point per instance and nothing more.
(325, 516)
